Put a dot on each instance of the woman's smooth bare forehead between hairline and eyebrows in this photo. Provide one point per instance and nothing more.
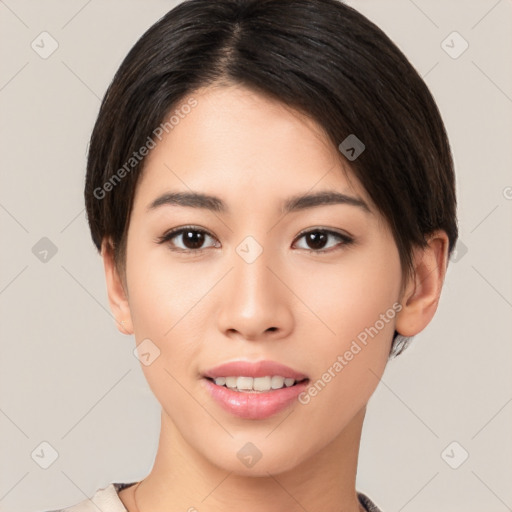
(238, 143)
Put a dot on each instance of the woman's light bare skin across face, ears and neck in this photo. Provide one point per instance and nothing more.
(206, 308)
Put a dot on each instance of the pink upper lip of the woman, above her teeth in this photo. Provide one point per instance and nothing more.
(254, 369)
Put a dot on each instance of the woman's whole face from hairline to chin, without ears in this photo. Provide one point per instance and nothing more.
(255, 276)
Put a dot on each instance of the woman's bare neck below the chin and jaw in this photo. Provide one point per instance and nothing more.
(183, 479)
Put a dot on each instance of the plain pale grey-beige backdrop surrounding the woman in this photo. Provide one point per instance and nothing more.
(67, 377)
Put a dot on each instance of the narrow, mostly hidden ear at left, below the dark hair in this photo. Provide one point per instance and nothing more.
(117, 296)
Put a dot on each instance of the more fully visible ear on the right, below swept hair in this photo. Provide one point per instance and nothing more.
(421, 296)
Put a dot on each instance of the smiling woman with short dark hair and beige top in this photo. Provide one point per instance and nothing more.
(271, 189)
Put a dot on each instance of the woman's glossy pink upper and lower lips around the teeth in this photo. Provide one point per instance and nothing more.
(254, 405)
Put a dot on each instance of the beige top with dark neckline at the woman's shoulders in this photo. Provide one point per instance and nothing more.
(107, 500)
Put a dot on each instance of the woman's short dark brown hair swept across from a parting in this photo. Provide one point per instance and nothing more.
(320, 57)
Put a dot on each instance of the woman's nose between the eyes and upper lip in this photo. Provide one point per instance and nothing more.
(255, 302)
